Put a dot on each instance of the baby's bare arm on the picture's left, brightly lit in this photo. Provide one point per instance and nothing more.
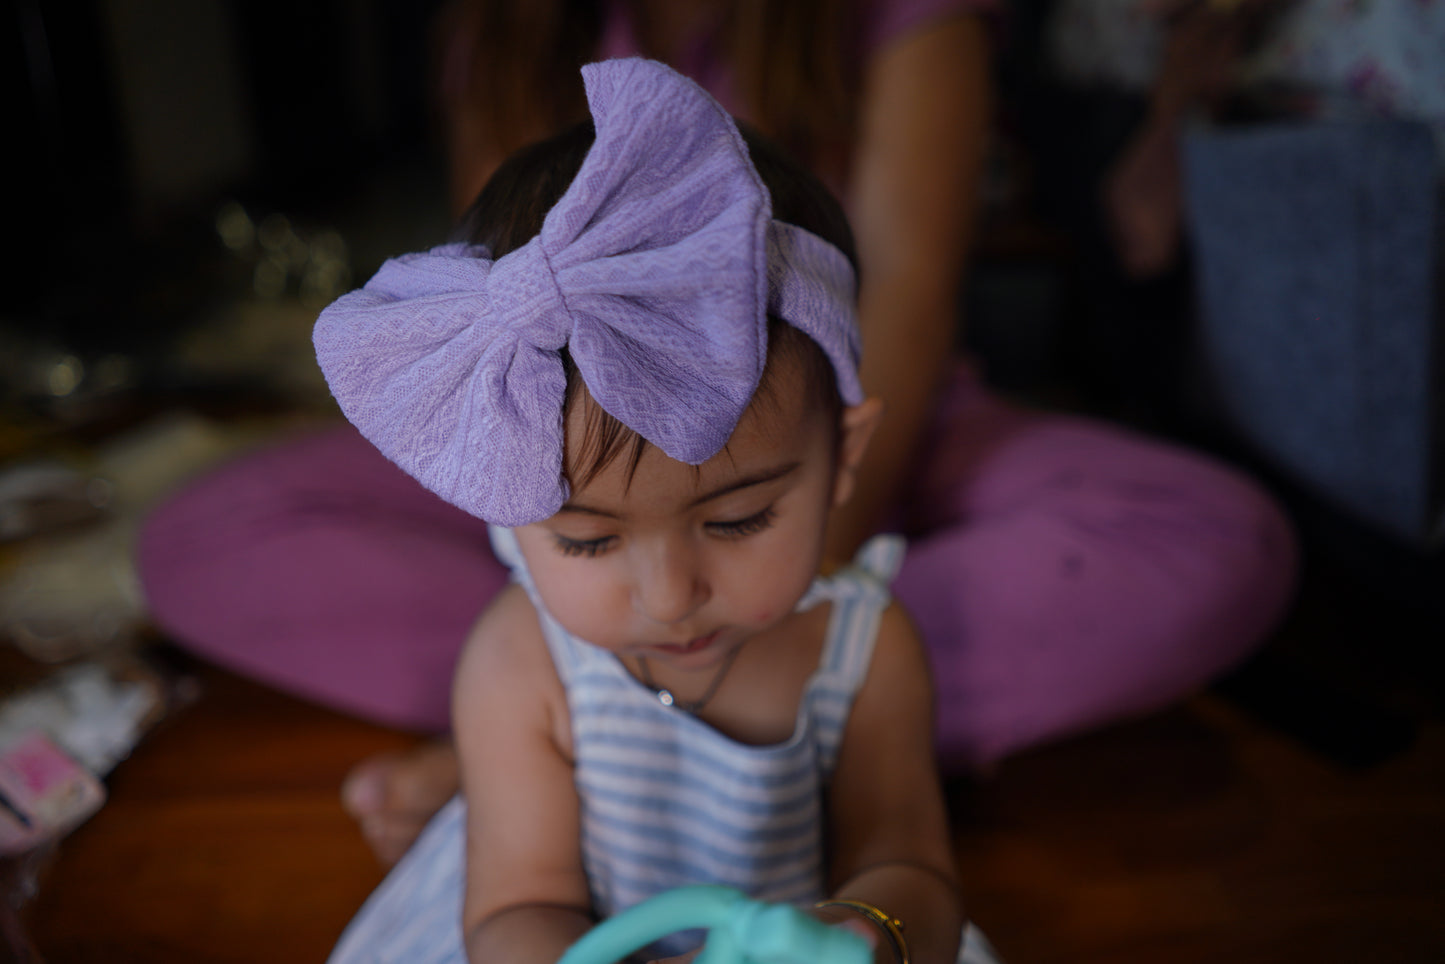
(527, 892)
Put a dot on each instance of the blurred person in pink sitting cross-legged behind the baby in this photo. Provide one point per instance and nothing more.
(1064, 573)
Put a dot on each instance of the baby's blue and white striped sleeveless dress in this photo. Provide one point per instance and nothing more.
(665, 799)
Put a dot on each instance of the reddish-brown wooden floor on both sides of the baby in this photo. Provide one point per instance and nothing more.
(1193, 836)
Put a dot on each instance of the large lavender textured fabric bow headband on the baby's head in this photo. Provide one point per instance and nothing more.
(657, 271)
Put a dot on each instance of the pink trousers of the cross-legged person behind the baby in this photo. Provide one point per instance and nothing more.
(1064, 574)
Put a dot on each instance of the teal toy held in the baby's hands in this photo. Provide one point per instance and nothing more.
(741, 931)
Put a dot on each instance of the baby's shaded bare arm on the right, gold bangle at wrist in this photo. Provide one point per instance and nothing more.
(891, 842)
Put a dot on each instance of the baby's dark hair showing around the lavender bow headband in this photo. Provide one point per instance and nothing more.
(509, 213)
